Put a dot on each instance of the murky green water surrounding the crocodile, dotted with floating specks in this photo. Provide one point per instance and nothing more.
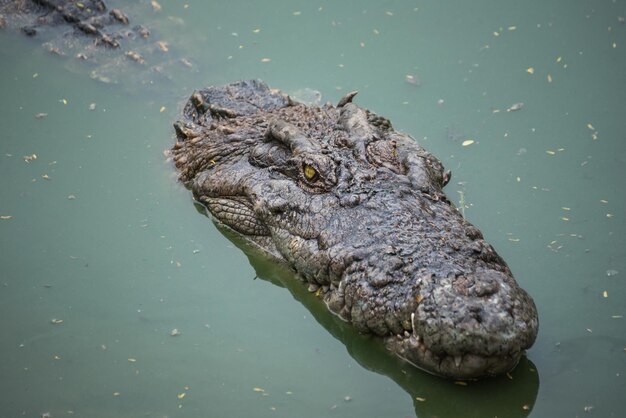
(97, 233)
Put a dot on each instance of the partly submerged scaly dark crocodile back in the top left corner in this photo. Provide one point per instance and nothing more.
(102, 40)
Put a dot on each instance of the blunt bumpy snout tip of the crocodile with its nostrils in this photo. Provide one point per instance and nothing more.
(469, 326)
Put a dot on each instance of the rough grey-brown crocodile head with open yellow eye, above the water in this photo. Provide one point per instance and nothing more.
(357, 210)
